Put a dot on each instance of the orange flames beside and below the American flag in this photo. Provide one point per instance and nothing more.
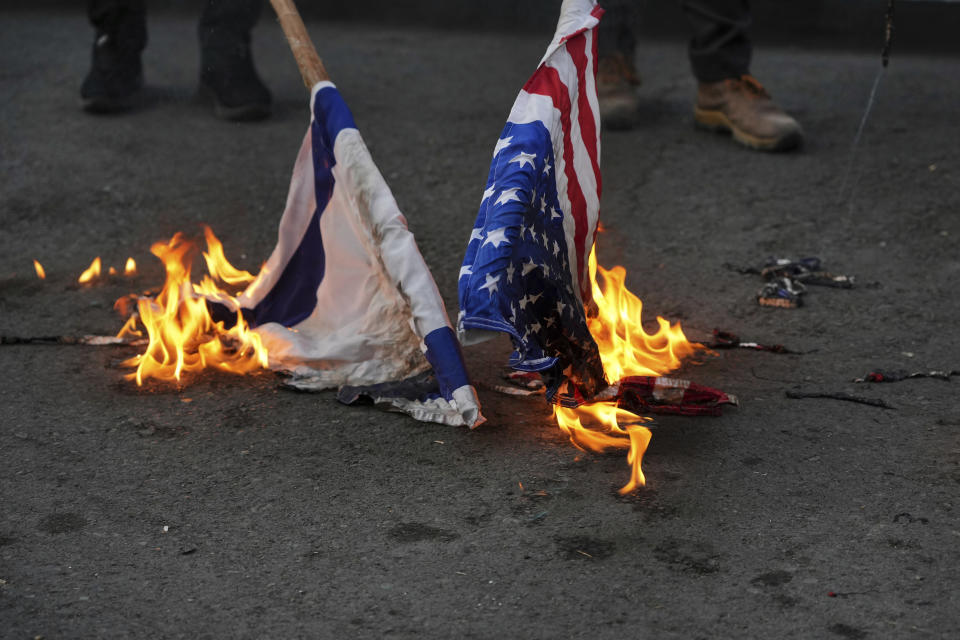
(626, 349)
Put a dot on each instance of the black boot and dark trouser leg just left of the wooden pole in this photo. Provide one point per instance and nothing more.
(226, 64)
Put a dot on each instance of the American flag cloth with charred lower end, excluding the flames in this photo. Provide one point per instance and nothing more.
(525, 272)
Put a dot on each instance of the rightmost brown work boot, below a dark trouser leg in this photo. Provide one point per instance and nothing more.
(743, 107)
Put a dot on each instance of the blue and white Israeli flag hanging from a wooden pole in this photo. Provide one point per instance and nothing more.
(346, 300)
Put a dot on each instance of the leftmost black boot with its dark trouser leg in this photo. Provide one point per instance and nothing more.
(116, 76)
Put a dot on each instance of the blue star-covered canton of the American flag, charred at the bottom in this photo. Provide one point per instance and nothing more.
(518, 270)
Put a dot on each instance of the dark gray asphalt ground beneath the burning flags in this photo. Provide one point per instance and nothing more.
(292, 516)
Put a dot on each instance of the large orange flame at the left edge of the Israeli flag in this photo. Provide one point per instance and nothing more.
(182, 335)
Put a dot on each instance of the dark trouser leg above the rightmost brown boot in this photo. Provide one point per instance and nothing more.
(719, 46)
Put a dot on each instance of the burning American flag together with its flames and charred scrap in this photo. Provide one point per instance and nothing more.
(530, 268)
